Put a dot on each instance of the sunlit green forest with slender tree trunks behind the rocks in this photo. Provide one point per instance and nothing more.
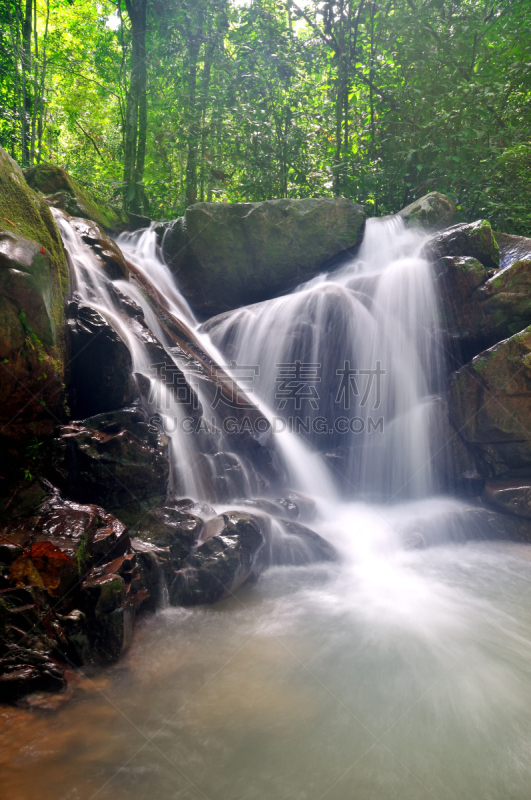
(157, 104)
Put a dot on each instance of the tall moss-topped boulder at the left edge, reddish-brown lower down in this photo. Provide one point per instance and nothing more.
(33, 285)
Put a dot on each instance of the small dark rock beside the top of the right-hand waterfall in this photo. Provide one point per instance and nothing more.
(473, 239)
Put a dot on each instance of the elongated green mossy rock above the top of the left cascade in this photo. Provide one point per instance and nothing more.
(63, 192)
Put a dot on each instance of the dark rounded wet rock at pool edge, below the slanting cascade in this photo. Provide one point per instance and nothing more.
(220, 565)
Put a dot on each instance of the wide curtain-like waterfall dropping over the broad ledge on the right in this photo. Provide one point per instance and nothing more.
(350, 361)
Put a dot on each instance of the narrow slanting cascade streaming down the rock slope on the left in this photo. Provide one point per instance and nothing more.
(221, 445)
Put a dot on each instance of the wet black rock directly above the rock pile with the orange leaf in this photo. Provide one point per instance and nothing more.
(111, 459)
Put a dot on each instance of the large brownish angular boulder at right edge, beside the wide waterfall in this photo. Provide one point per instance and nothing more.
(490, 406)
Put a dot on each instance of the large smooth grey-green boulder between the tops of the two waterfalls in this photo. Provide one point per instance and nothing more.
(225, 255)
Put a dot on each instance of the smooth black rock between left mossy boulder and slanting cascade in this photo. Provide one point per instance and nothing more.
(101, 366)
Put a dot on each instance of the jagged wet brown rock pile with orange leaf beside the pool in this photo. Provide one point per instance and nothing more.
(71, 586)
